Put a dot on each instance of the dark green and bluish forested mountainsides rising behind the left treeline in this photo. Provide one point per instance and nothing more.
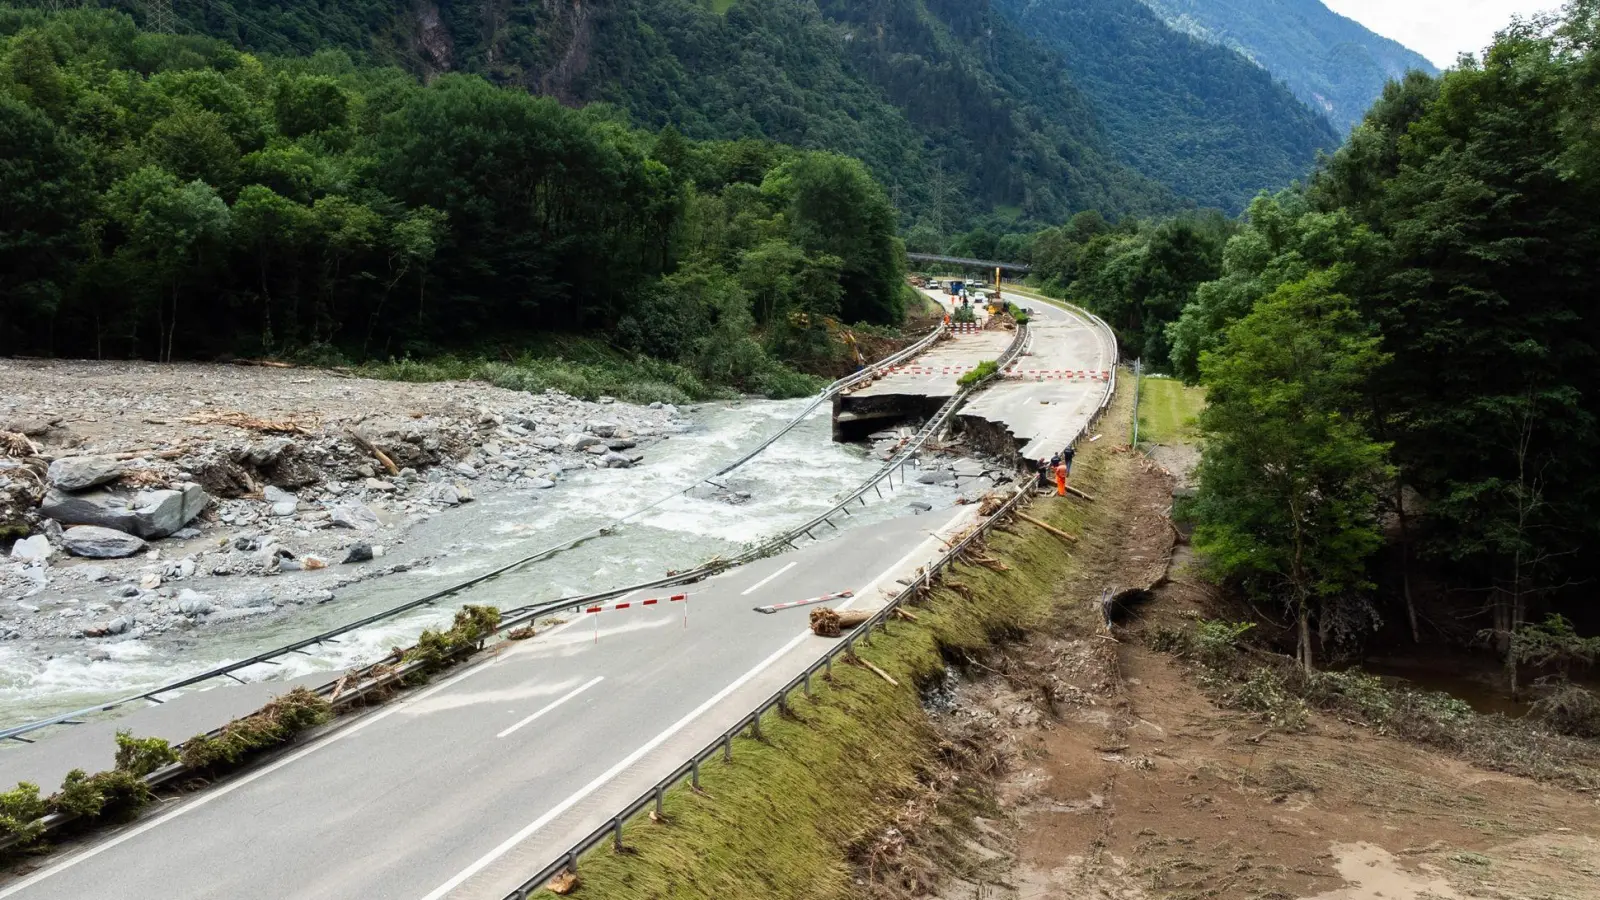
(954, 106)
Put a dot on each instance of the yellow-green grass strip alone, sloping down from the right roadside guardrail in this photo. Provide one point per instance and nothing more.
(782, 821)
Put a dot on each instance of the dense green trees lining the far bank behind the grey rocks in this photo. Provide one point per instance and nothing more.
(170, 196)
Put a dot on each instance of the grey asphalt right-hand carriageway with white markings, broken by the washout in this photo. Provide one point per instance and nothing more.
(465, 789)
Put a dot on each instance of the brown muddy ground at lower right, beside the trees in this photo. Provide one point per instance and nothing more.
(1140, 787)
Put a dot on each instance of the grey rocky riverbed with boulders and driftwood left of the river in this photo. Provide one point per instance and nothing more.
(142, 499)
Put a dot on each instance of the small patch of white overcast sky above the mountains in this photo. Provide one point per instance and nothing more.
(1439, 30)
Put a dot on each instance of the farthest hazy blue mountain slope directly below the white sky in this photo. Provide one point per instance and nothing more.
(1332, 63)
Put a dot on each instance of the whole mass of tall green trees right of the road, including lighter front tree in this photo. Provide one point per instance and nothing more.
(1401, 363)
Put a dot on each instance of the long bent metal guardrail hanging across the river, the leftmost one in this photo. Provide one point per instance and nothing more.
(15, 733)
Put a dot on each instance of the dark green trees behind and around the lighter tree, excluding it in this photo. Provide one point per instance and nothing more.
(1460, 225)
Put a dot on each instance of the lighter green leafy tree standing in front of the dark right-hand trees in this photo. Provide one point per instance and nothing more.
(1289, 483)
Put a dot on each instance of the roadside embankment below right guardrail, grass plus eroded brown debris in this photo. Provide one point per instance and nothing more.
(860, 787)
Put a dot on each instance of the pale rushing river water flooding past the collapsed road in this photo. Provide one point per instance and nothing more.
(791, 483)
